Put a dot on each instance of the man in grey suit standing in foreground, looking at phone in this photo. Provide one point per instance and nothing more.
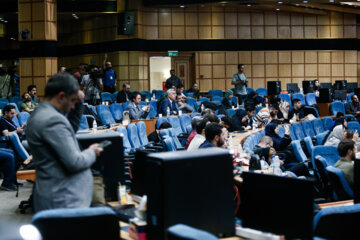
(63, 176)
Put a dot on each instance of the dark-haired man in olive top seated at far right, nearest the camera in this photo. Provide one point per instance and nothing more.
(346, 150)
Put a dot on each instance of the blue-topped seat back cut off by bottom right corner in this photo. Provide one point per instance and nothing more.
(339, 222)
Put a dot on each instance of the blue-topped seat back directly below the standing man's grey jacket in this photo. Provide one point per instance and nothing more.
(77, 223)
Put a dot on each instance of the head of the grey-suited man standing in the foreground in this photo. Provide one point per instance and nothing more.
(62, 91)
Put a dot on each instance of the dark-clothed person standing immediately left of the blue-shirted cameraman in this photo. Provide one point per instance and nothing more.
(92, 86)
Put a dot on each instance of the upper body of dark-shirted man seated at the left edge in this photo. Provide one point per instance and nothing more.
(7, 126)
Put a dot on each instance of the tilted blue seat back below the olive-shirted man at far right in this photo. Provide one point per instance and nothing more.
(339, 183)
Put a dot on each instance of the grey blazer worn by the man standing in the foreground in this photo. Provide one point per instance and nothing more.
(63, 176)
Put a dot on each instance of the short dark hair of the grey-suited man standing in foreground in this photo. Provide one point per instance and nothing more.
(61, 82)
